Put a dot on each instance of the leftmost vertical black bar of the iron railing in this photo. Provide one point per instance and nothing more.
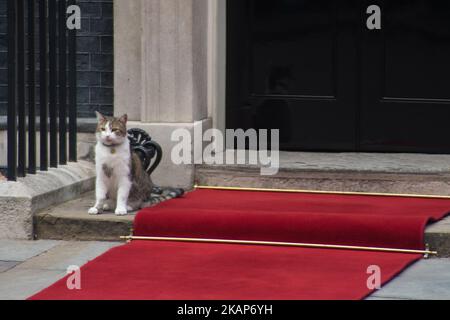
(12, 93)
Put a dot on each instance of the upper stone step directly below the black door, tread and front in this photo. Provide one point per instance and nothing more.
(354, 172)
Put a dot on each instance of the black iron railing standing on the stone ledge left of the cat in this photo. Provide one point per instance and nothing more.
(57, 86)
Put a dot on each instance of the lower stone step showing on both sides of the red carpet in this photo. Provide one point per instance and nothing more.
(70, 221)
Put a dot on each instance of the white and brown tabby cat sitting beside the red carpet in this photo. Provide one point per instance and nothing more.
(122, 184)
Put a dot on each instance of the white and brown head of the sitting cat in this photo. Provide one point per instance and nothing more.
(111, 131)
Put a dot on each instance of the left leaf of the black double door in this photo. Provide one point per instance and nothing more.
(291, 67)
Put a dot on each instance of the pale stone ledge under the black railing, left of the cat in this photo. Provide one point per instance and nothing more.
(20, 200)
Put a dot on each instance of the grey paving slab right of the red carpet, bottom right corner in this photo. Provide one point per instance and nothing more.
(425, 280)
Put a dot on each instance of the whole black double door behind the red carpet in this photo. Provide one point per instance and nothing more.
(313, 69)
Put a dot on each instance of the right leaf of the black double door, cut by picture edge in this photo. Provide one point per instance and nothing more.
(406, 87)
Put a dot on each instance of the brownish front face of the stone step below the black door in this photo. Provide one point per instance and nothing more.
(326, 180)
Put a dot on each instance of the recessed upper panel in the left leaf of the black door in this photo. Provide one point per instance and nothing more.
(293, 42)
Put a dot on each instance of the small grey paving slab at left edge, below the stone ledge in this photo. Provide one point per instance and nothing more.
(11, 250)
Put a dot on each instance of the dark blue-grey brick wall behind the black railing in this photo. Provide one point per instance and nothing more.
(94, 58)
